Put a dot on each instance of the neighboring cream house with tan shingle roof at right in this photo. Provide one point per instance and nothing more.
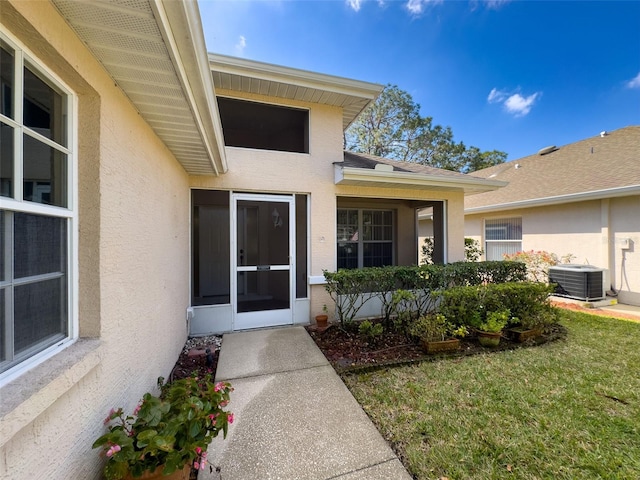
(581, 199)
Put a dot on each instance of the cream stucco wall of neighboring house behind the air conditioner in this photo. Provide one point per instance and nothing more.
(592, 232)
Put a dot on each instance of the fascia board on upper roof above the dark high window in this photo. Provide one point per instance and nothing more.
(302, 78)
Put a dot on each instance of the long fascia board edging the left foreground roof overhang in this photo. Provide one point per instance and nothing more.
(181, 27)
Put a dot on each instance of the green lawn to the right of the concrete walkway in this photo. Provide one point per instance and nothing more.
(567, 410)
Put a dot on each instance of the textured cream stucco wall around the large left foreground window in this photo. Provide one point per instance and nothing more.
(133, 269)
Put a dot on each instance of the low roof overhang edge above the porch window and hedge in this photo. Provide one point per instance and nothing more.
(417, 181)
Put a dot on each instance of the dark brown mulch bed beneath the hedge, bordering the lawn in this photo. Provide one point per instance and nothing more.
(349, 352)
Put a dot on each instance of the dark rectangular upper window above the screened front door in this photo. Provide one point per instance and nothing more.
(262, 126)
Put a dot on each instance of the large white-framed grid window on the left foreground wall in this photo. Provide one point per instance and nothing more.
(37, 210)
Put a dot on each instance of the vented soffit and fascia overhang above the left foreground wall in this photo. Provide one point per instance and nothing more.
(156, 53)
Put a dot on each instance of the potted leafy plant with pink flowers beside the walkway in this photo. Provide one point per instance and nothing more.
(167, 434)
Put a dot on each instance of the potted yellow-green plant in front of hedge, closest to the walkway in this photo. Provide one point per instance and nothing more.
(436, 334)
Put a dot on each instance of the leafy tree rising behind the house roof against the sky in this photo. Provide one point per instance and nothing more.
(392, 127)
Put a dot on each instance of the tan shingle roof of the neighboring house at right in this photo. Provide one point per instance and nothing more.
(597, 165)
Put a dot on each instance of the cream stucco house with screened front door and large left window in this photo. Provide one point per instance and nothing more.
(149, 190)
